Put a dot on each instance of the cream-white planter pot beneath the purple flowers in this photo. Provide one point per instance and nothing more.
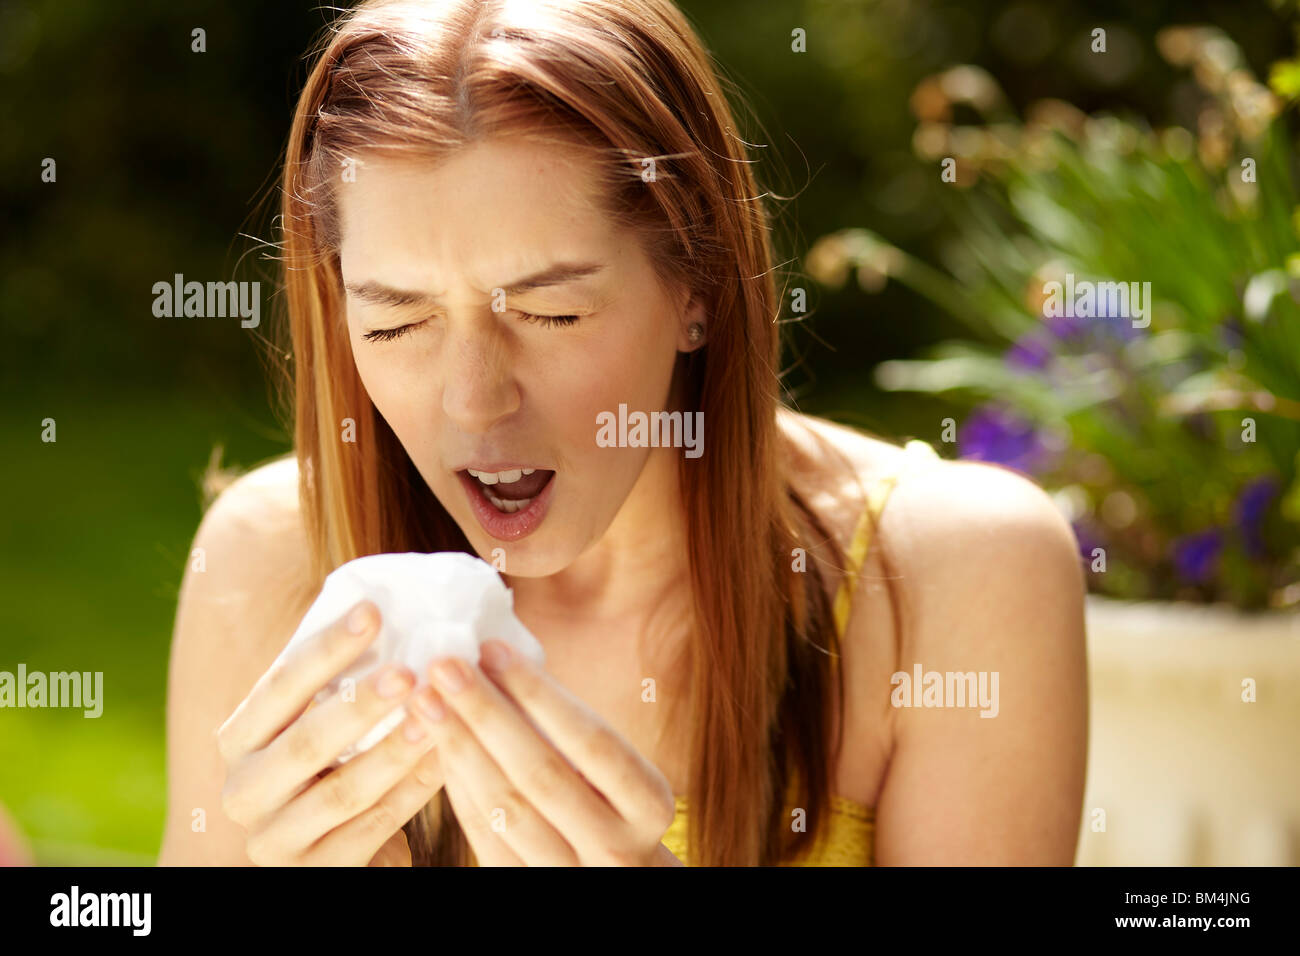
(1182, 771)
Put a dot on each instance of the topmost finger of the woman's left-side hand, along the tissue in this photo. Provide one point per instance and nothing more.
(291, 685)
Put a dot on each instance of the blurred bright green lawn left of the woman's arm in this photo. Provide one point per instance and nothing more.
(94, 551)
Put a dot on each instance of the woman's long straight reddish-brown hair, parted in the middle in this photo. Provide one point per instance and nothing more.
(626, 81)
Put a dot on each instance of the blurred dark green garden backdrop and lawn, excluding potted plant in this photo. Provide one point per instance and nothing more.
(166, 159)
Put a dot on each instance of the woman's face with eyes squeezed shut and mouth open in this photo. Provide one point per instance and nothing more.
(484, 262)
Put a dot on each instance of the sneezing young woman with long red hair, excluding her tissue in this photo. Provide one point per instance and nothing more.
(504, 226)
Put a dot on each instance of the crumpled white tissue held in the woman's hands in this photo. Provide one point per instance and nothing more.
(432, 605)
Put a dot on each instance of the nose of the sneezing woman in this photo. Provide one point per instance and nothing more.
(479, 387)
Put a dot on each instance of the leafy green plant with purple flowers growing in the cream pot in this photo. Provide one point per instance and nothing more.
(1173, 445)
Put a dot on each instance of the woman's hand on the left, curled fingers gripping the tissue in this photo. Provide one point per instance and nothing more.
(276, 749)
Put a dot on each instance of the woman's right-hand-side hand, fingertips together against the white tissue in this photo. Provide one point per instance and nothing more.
(518, 797)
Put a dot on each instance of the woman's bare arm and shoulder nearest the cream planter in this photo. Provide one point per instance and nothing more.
(994, 586)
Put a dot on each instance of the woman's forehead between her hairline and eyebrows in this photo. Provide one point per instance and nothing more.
(491, 211)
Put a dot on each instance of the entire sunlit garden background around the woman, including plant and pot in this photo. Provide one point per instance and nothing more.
(1164, 158)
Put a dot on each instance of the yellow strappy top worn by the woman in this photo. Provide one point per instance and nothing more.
(848, 837)
